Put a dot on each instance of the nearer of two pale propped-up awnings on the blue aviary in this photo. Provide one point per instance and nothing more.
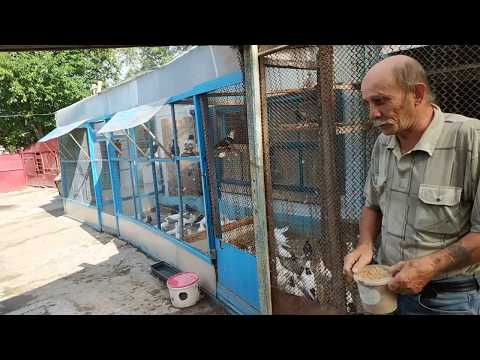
(133, 117)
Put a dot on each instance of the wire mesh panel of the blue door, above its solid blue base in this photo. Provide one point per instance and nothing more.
(231, 166)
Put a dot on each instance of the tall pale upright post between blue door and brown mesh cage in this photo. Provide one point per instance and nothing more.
(252, 86)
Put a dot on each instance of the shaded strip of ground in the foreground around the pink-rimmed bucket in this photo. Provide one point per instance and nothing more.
(112, 287)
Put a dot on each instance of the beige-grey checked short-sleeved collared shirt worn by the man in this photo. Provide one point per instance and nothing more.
(428, 196)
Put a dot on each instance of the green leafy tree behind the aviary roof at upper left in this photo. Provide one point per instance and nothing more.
(42, 82)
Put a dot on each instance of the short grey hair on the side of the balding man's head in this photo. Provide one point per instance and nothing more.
(411, 72)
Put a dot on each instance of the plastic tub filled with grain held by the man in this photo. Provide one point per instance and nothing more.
(372, 285)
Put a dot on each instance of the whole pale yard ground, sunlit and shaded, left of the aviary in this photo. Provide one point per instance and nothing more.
(51, 264)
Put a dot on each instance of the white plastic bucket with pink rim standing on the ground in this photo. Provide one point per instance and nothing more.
(184, 290)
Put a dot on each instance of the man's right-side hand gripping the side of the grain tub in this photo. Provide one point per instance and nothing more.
(410, 277)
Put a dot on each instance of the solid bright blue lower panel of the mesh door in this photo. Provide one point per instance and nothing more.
(237, 271)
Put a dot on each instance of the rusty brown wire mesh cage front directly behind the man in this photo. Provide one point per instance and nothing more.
(319, 143)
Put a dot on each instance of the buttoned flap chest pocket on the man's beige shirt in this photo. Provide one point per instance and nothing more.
(438, 209)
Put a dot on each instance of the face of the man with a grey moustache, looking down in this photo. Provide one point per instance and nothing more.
(389, 107)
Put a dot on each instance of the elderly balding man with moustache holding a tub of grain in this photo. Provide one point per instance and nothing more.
(422, 193)
